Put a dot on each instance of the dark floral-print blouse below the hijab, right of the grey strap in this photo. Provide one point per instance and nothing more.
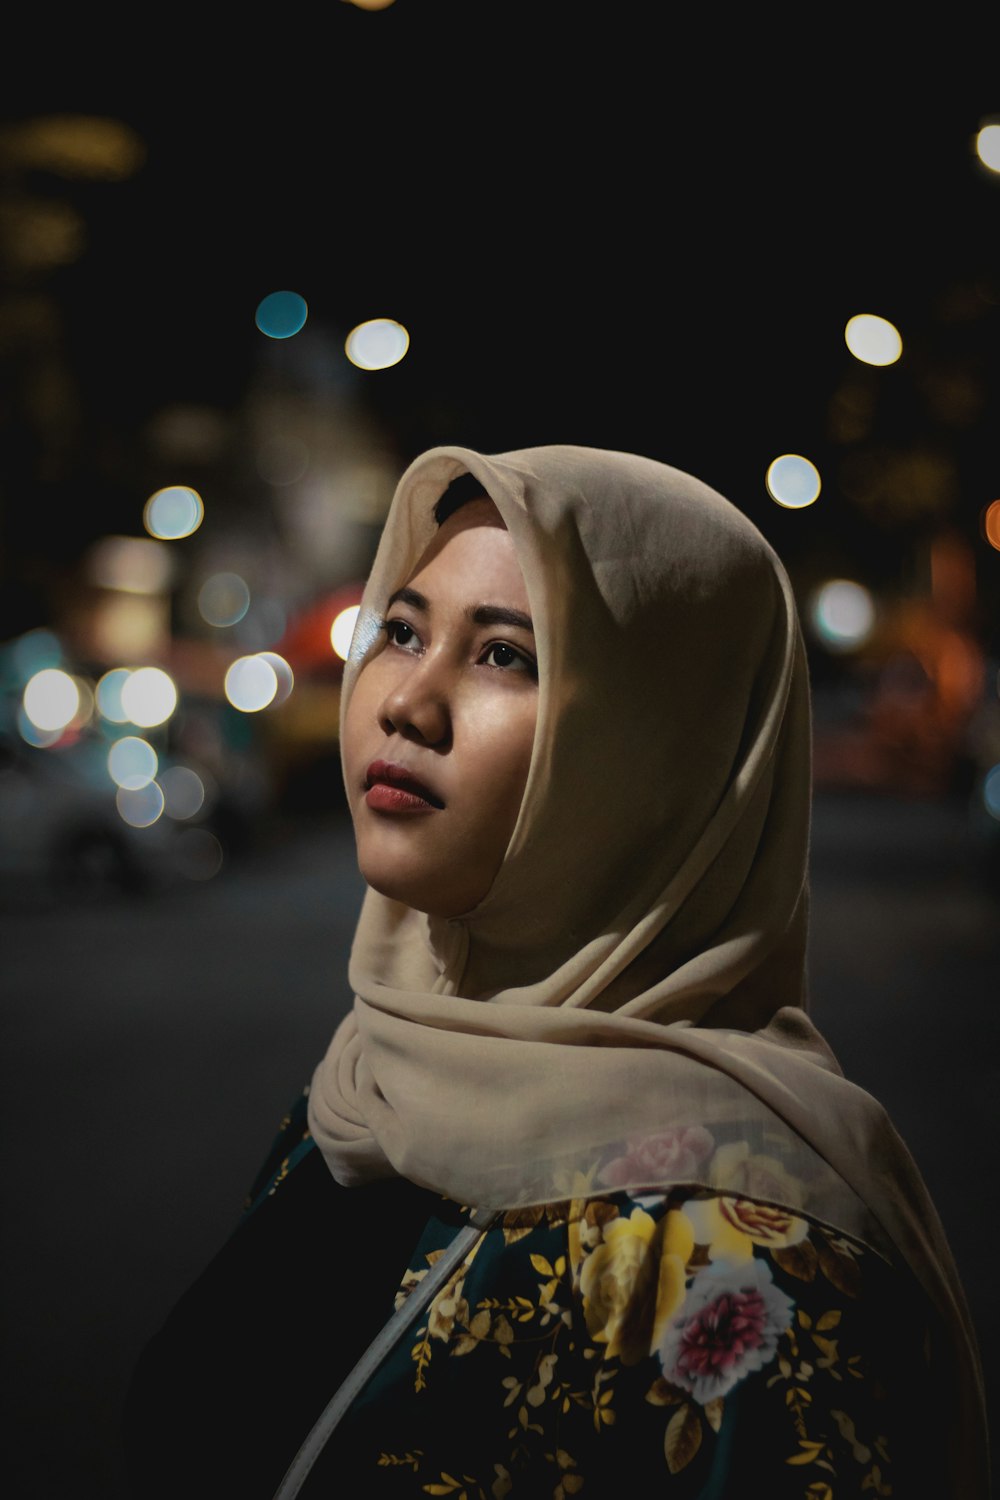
(687, 1345)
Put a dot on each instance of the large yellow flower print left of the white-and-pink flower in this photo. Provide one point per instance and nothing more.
(633, 1283)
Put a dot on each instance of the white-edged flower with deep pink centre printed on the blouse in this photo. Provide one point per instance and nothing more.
(729, 1325)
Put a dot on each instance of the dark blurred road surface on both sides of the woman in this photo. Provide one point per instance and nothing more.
(152, 1046)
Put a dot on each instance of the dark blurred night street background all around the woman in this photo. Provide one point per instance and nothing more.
(597, 229)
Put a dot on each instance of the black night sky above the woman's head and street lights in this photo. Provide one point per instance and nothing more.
(596, 229)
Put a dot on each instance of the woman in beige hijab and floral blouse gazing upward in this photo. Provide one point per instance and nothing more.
(576, 749)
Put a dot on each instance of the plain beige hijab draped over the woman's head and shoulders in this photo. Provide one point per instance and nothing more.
(627, 1006)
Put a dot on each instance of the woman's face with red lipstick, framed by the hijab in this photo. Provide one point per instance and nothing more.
(440, 728)
